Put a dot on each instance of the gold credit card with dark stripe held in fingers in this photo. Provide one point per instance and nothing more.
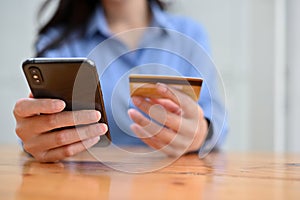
(144, 85)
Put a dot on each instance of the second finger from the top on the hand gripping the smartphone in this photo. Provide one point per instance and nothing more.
(59, 120)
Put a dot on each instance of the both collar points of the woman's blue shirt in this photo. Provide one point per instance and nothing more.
(99, 24)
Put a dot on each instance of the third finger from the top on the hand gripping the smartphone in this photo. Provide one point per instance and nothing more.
(65, 137)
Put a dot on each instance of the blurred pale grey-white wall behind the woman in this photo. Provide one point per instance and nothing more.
(255, 45)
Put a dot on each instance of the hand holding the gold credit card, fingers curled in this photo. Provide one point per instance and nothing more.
(181, 126)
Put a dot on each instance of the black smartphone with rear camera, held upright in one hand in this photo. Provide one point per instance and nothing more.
(73, 80)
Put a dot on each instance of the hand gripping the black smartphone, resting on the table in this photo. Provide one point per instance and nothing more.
(37, 119)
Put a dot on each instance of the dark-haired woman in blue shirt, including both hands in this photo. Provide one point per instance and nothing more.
(117, 28)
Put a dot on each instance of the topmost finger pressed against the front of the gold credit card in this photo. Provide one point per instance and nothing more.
(187, 104)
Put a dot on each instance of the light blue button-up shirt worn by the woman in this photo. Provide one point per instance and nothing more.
(172, 45)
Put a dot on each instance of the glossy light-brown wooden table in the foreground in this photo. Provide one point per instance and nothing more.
(219, 176)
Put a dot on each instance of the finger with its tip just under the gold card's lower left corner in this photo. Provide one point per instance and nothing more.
(158, 113)
